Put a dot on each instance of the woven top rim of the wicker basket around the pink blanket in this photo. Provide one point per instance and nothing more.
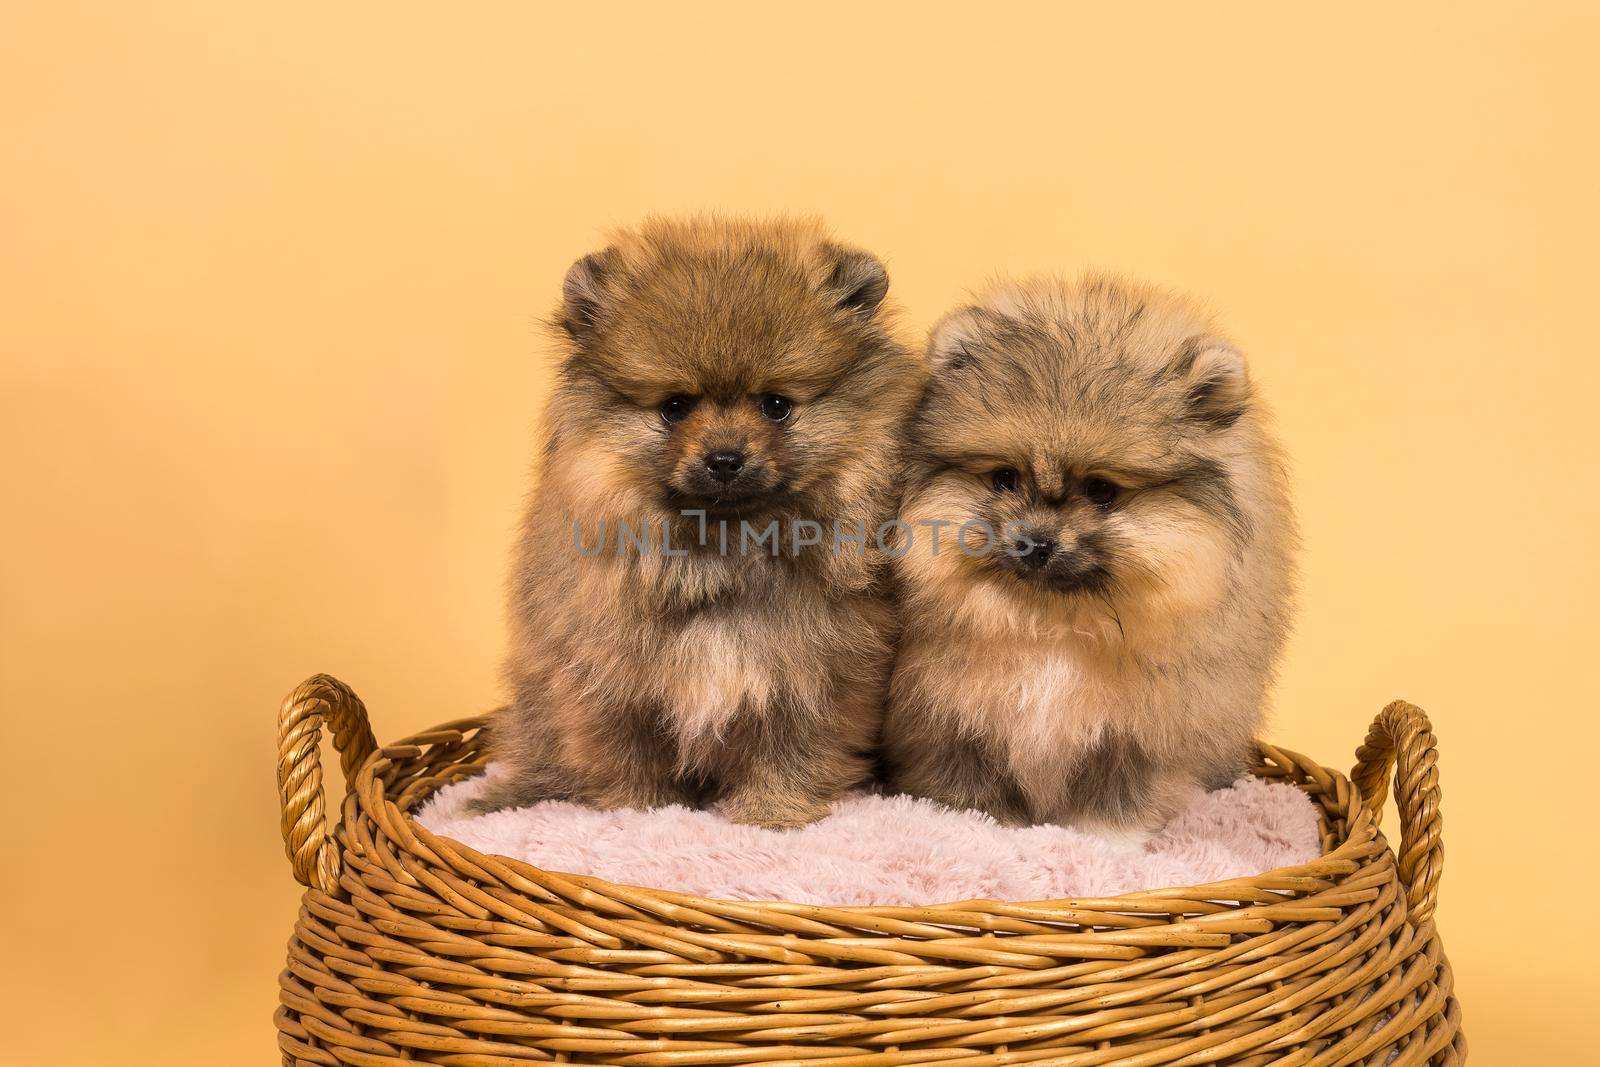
(1326, 785)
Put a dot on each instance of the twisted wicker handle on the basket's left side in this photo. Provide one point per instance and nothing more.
(316, 860)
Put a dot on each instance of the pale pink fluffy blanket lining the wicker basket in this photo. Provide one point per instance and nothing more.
(890, 850)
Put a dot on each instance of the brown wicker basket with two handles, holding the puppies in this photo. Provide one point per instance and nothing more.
(412, 948)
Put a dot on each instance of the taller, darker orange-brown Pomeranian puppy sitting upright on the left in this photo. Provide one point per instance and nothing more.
(698, 604)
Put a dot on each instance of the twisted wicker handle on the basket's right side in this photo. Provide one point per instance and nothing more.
(1402, 738)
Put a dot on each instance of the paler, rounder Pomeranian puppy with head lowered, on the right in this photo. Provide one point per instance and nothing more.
(1092, 641)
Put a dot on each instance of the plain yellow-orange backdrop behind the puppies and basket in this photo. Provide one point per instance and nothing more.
(270, 282)
